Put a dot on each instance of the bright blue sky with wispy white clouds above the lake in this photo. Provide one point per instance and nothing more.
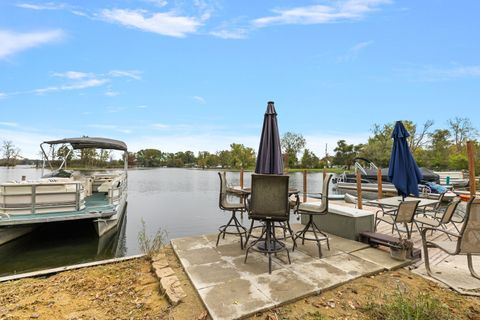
(197, 75)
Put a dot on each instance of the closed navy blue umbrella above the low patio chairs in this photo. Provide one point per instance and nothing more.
(403, 171)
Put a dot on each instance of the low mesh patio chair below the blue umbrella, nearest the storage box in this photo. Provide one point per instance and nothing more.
(404, 214)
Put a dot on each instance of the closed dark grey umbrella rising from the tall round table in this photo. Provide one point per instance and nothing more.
(269, 158)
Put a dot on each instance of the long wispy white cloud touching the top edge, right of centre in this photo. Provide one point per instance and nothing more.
(318, 14)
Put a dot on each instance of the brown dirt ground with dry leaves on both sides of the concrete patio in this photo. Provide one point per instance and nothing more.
(130, 290)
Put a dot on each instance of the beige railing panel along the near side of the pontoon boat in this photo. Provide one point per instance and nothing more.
(17, 198)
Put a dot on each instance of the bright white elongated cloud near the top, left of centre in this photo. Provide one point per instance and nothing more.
(164, 23)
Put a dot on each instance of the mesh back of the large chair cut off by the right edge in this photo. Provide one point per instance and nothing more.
(469, 241)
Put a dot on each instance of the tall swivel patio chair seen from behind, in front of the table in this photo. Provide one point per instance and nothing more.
(269, 203)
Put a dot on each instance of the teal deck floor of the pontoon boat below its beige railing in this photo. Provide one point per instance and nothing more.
(96, 206)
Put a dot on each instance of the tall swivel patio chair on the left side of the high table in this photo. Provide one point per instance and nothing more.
(233, 226)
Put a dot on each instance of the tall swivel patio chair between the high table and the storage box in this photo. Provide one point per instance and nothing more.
(313, 210)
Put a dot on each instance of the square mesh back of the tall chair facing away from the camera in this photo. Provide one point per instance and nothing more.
(269, 197)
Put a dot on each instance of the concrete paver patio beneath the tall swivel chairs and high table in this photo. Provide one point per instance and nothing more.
(233, 289)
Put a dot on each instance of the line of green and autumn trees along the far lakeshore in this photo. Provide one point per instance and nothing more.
(439, 149)
